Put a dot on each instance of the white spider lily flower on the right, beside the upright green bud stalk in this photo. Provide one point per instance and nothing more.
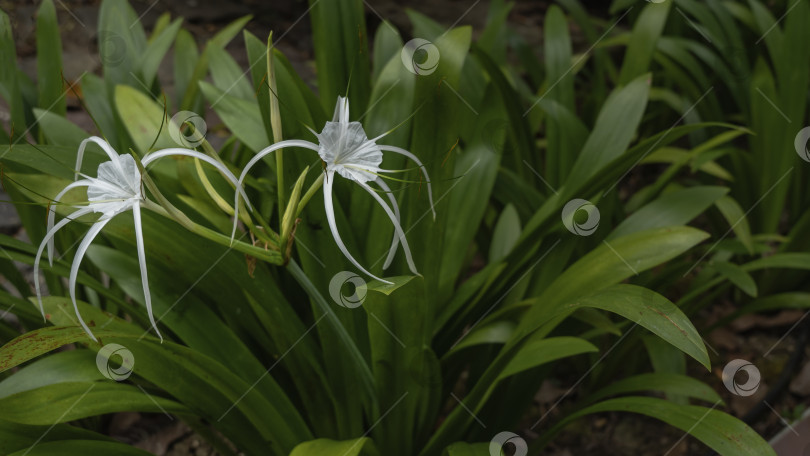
(346, 150)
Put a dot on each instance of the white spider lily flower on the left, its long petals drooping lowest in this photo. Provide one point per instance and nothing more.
(116, 188)
